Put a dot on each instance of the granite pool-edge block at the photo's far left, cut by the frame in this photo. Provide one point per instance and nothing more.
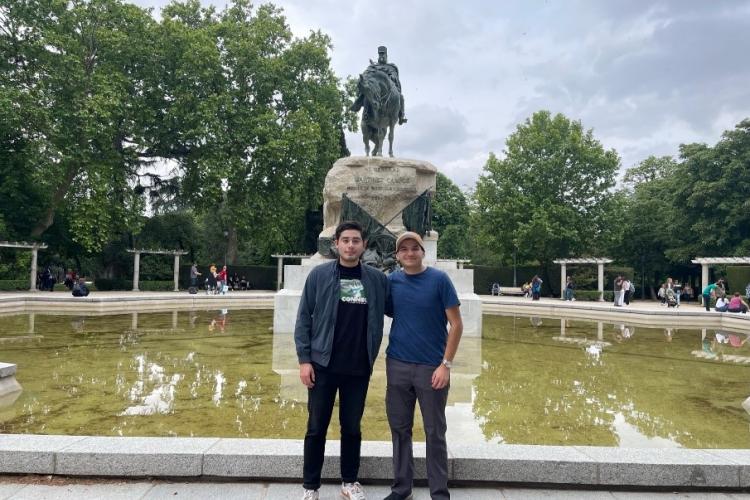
(31, 453)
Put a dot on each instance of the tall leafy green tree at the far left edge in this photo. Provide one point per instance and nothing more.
(70, 89)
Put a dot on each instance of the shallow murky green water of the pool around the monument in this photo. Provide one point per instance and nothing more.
(527, 381)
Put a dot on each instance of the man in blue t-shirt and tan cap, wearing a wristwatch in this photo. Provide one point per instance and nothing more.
(419, 358)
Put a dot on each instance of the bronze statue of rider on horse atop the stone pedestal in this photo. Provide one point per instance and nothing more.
(379, 93)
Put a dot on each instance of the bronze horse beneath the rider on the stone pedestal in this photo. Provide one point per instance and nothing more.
(382, 102)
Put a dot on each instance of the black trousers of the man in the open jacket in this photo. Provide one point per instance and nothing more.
(352, 394)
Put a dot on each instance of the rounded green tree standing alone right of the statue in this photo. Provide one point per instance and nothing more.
(547, 196)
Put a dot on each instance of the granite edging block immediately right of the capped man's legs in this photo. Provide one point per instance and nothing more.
(522, 464)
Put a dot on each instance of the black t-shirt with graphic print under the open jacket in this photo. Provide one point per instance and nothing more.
(349, 355)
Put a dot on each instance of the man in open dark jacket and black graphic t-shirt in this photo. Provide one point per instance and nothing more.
(337, 335)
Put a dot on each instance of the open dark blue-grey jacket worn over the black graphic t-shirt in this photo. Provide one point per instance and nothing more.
(318, 307)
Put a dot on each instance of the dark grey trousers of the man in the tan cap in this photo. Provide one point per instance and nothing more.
(407, 384)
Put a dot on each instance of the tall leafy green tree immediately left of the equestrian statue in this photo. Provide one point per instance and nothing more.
(268, 125)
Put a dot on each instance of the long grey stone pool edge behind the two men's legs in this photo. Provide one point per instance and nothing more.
(254, 459)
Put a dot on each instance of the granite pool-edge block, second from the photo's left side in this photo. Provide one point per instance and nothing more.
(134, 456)
